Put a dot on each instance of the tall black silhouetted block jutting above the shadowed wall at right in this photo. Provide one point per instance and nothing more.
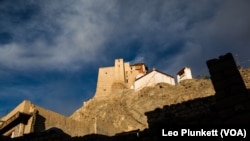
(225, 75)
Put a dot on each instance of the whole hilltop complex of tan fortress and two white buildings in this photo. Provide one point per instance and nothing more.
(136, 76)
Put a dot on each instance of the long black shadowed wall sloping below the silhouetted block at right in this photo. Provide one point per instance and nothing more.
(210, 111)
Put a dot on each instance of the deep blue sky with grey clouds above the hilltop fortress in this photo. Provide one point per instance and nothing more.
(50, 51)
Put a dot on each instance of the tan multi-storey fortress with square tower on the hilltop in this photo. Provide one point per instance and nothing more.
(121, 72)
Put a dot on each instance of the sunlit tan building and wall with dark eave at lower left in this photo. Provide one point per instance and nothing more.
(41, 119)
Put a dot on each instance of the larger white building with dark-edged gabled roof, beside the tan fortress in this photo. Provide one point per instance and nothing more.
(152, 78)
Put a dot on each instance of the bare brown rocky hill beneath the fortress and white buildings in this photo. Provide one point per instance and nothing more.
(124, 110)
